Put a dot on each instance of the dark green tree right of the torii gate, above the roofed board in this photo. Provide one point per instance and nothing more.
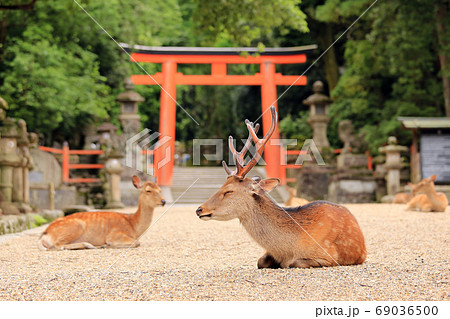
(390, 67)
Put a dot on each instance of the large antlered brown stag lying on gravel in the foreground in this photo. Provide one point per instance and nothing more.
(314, 235)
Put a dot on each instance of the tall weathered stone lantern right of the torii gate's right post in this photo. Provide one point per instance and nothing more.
(318, 118)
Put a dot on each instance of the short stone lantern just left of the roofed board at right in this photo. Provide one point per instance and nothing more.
(393, 166)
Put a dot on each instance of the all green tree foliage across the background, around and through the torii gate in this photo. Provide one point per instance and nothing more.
(59, 70)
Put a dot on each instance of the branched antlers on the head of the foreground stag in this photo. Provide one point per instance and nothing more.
(241, 169)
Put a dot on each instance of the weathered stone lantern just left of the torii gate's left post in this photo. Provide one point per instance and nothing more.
(129, 117)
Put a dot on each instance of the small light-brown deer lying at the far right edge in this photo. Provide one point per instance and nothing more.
(430, 200)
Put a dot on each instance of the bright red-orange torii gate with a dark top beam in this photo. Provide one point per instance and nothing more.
(169, 78)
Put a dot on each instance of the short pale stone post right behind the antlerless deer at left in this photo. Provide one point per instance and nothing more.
(113, 168)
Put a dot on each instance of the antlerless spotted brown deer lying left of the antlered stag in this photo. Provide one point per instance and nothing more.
(104, 229)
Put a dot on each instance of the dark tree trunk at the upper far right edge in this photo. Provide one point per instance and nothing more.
(444, 57)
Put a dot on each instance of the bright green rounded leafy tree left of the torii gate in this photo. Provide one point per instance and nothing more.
(53, 88)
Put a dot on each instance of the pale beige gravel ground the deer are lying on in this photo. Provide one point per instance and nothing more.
(184, 258)
